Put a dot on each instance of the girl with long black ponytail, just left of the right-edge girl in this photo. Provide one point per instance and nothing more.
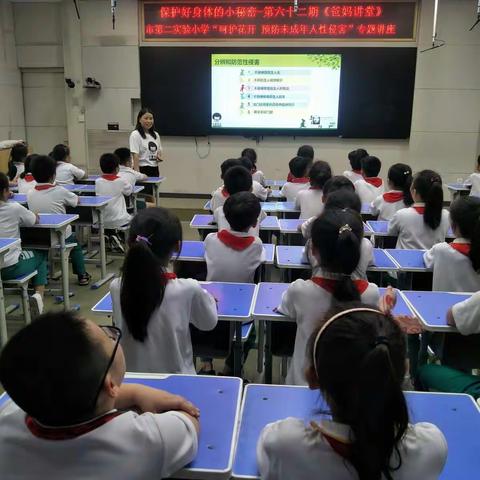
(426, 222)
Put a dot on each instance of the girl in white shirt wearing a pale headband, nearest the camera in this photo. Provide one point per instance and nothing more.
(357, 359)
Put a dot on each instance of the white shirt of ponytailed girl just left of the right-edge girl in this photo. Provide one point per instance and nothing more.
(413, 232)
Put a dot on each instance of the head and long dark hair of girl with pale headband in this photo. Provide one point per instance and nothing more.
(357, 360)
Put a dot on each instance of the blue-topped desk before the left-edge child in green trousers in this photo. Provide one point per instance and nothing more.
(48, 234)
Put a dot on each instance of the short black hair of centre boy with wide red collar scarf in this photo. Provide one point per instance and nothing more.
(242, 210)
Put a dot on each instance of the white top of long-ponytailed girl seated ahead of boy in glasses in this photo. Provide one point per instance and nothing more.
(168, 347)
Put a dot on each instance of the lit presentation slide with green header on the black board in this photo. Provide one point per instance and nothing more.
(290, 91)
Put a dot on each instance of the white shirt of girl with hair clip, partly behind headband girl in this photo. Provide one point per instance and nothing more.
(306, 302)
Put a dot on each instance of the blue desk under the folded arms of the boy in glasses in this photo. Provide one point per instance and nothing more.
(218, 399)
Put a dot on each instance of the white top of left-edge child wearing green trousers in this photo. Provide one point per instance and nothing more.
(12, 217)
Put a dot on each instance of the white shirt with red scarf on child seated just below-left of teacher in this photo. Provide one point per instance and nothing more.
(115, 213)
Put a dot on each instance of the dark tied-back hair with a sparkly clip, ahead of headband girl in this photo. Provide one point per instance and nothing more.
(337, 236)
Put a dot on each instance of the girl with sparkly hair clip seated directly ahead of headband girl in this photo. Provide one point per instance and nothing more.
(336, 237)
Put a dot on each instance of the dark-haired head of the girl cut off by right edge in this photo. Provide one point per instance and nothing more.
(465, 220)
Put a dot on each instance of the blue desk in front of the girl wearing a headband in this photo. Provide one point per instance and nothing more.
(457, 416)
